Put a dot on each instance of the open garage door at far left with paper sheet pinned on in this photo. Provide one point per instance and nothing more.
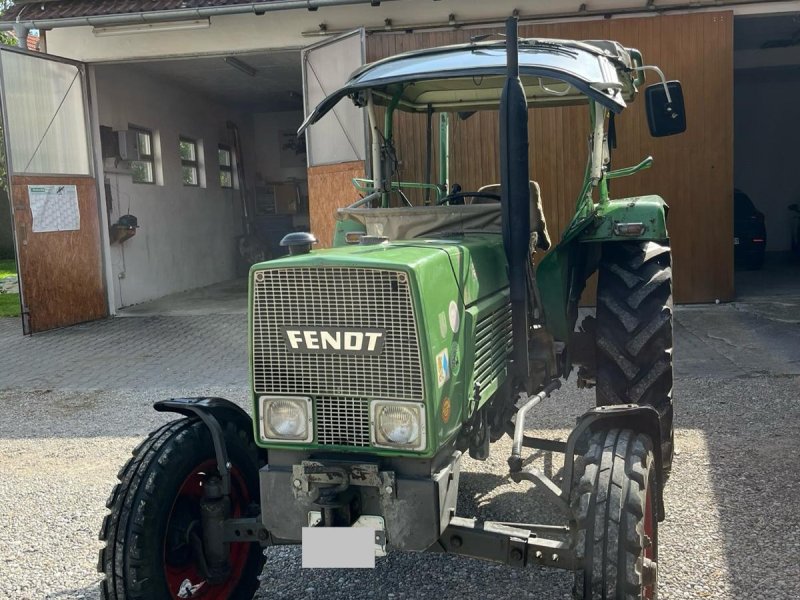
(52, 190)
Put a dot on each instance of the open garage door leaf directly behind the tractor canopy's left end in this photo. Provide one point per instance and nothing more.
(336, 147)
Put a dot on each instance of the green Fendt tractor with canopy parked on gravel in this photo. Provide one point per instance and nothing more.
(427, 331)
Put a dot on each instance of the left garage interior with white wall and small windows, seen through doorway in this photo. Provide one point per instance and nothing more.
(223, 158)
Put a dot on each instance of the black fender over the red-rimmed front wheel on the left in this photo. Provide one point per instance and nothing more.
(214, 413)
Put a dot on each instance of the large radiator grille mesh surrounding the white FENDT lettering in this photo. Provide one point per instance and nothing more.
(335, 297)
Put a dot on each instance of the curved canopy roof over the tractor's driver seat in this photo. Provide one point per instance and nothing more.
(468, 77)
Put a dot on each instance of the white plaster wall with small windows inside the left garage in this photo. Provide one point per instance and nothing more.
(187, 235)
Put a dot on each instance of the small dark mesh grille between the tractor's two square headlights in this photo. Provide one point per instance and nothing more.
(342, 421)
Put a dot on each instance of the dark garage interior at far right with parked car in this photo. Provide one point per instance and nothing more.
(766, 154)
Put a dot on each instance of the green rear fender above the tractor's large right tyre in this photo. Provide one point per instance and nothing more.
(610, 220)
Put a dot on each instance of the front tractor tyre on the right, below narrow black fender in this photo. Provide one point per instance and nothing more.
(616, 526)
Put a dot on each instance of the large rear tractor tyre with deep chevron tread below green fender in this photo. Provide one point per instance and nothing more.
(633, 331)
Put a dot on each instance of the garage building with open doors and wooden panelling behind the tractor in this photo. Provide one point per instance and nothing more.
(175, 126)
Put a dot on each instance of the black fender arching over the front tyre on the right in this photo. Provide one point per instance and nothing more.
(640, 418)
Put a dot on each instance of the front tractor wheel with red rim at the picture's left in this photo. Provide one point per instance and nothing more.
(153, 533)
